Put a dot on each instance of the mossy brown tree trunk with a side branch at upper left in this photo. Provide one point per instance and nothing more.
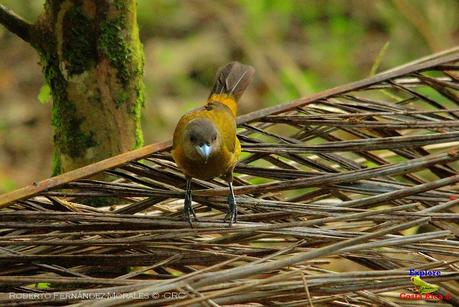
(92, 60)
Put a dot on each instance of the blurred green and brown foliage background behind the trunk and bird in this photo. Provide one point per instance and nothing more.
(297, 47)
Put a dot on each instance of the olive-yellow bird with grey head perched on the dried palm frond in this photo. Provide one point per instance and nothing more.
(205, 144)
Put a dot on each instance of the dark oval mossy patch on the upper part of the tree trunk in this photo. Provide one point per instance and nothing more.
(79, 43)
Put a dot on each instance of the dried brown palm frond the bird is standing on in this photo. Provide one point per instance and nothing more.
(340, 194)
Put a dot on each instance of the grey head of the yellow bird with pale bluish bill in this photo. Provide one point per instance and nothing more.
(201, 139)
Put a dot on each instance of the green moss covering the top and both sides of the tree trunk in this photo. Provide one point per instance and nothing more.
(117, 40)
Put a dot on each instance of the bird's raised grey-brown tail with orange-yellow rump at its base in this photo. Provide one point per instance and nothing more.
(232, 80)
